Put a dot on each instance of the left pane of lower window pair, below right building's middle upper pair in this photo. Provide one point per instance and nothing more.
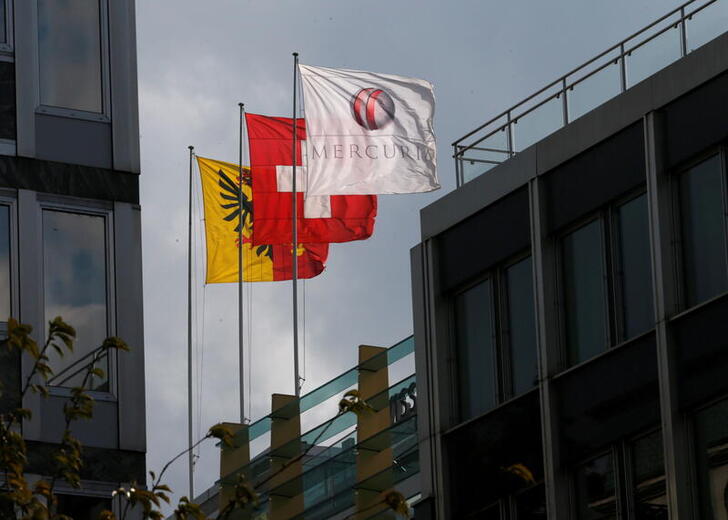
(595, 489)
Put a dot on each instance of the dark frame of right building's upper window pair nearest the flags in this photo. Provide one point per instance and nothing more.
(502, 379)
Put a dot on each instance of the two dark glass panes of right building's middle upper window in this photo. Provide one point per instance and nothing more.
(607, 280)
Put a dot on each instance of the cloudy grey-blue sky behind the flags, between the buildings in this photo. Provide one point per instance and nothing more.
(197, 60)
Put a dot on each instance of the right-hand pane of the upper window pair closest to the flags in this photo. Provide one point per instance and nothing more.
(521, 326)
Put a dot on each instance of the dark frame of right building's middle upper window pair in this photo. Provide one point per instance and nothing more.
(614, 298)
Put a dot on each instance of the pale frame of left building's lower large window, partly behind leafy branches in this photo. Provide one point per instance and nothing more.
(69, 205)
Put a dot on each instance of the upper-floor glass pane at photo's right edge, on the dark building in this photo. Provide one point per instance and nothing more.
(703, 234)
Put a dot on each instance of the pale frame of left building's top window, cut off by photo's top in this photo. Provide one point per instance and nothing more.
(105, 114)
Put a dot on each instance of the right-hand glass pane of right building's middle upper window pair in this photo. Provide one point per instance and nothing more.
(634, 272)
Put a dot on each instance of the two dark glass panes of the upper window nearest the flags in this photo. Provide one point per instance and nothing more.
(496, 338)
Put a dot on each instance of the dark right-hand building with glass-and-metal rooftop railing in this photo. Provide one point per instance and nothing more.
(570, 303)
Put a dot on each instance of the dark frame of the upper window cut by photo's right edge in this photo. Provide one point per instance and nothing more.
(679, 275)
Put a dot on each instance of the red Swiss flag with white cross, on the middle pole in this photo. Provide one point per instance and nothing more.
(323, 219)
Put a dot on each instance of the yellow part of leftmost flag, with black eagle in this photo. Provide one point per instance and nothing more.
(220, 190)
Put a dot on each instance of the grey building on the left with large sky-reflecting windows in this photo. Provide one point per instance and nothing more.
(70, 234)
